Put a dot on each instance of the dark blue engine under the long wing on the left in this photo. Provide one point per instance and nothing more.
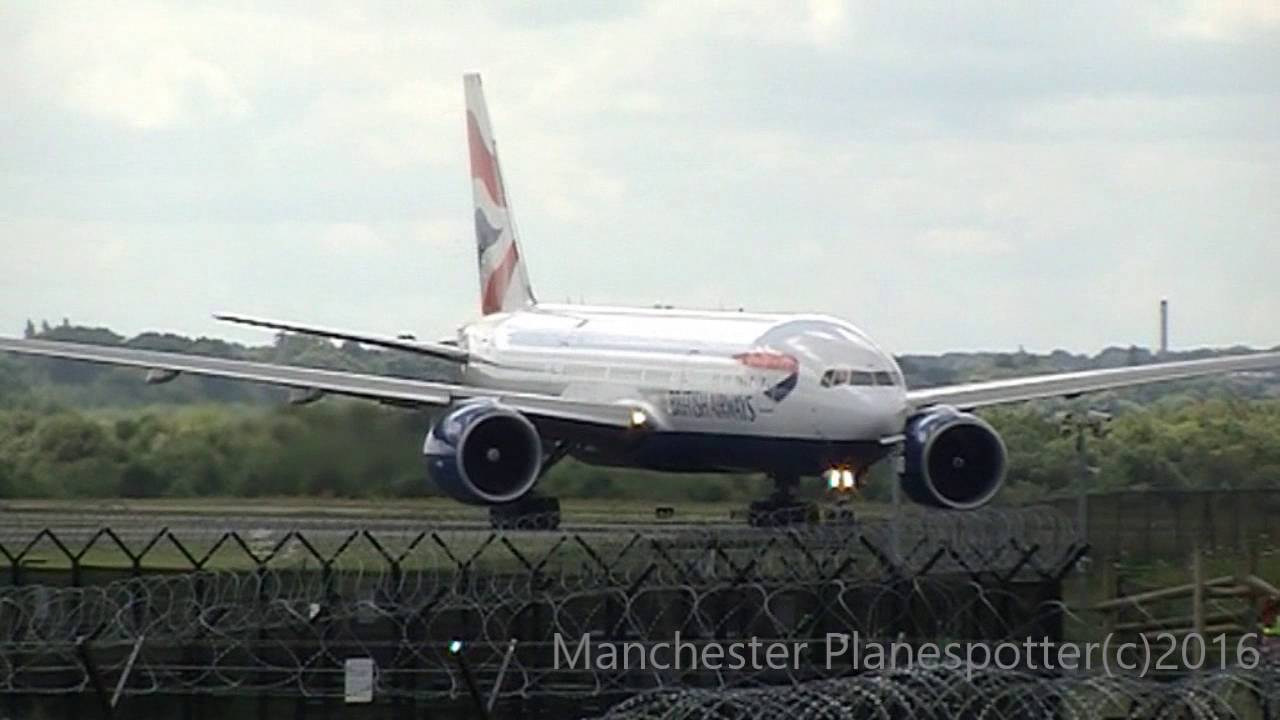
(484, 453)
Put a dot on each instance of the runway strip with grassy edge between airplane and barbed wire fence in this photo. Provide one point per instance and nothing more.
(63, 530)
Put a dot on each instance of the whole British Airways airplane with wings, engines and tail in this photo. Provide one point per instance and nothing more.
(787, 395)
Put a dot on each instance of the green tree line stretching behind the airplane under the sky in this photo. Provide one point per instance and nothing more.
(72, 430)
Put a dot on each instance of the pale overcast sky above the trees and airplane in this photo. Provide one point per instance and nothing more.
(947, 177)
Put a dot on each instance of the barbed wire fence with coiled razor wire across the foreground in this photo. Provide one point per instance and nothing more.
(277, 612)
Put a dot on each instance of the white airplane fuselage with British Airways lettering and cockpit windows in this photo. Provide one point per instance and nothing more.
(721, 375)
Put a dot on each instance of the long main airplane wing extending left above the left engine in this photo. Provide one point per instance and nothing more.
(356, 385)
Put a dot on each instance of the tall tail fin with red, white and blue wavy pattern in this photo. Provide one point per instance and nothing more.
(504, 279)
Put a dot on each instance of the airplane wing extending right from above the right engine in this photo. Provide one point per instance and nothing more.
(1069, 385)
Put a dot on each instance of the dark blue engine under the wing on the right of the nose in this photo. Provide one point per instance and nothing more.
(952, 459)
